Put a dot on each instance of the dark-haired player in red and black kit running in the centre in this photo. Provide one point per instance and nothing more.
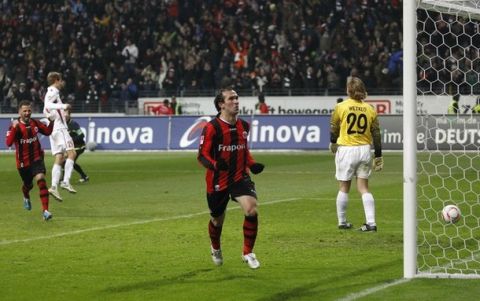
(224, 153)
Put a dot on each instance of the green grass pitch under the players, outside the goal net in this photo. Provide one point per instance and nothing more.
(138, 231)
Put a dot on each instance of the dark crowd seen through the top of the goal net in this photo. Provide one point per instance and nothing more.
(447, 62)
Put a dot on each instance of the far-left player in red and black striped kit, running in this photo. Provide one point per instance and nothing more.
(29, 154)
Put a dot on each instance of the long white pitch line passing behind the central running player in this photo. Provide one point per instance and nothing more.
(184, 216)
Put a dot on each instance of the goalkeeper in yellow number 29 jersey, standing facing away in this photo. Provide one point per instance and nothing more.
(353, 127)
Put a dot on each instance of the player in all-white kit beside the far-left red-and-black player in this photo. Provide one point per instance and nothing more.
(60, 139)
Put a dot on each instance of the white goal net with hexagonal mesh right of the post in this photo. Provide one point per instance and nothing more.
(448, 146)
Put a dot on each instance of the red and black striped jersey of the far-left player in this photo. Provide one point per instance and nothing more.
(27, 144)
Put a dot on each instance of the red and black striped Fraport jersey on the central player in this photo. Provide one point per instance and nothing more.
(228, 141)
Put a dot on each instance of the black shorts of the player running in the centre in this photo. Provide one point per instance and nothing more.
(218, 200)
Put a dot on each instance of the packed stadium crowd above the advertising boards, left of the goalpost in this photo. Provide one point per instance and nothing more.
(112, 52)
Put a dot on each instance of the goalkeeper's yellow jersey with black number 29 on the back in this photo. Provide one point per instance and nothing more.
(353, 122)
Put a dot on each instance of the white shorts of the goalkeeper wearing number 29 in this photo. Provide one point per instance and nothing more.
(353, 161)
